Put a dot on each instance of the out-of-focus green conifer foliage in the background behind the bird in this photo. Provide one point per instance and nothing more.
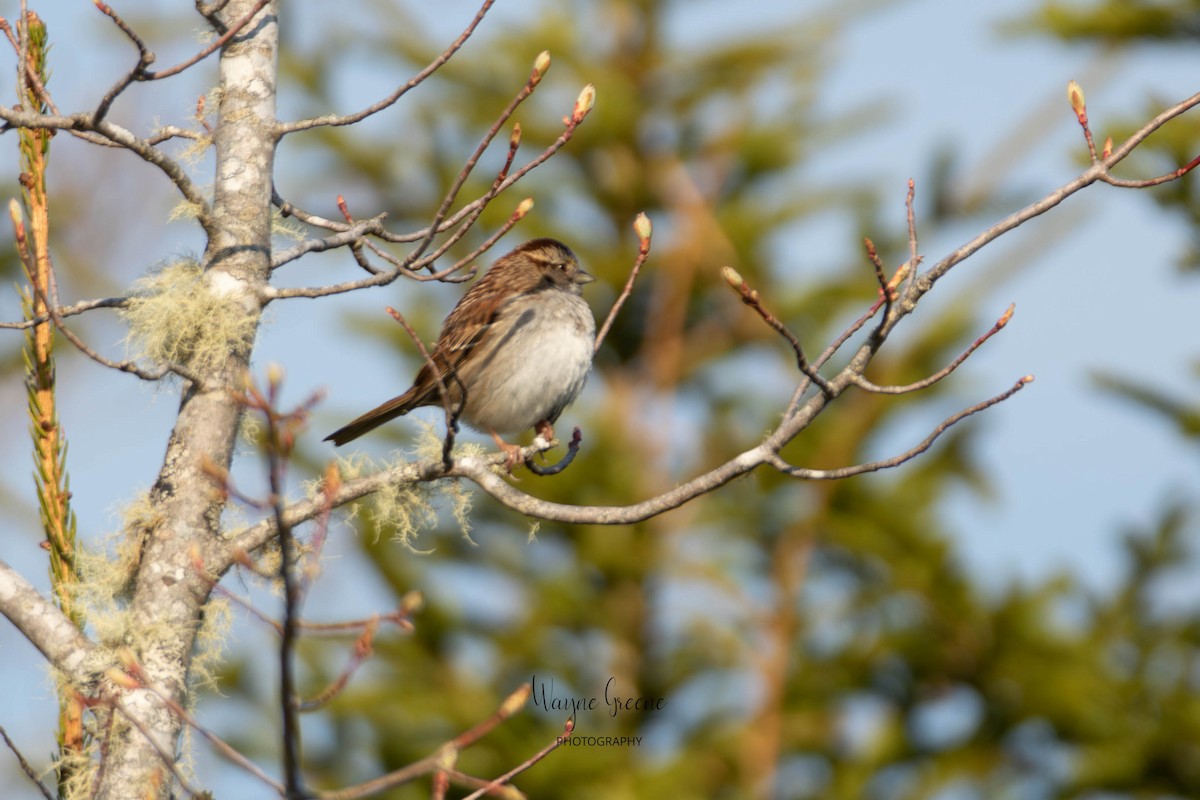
(809, 640)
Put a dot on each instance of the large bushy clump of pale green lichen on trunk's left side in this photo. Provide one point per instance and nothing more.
(175, 317)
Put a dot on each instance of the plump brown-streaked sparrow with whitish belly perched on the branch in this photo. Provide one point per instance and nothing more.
(513, 354)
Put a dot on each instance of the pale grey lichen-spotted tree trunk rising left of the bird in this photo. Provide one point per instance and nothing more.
(170, 591)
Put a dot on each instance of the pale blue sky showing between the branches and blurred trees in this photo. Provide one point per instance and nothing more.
(1096, 288)
